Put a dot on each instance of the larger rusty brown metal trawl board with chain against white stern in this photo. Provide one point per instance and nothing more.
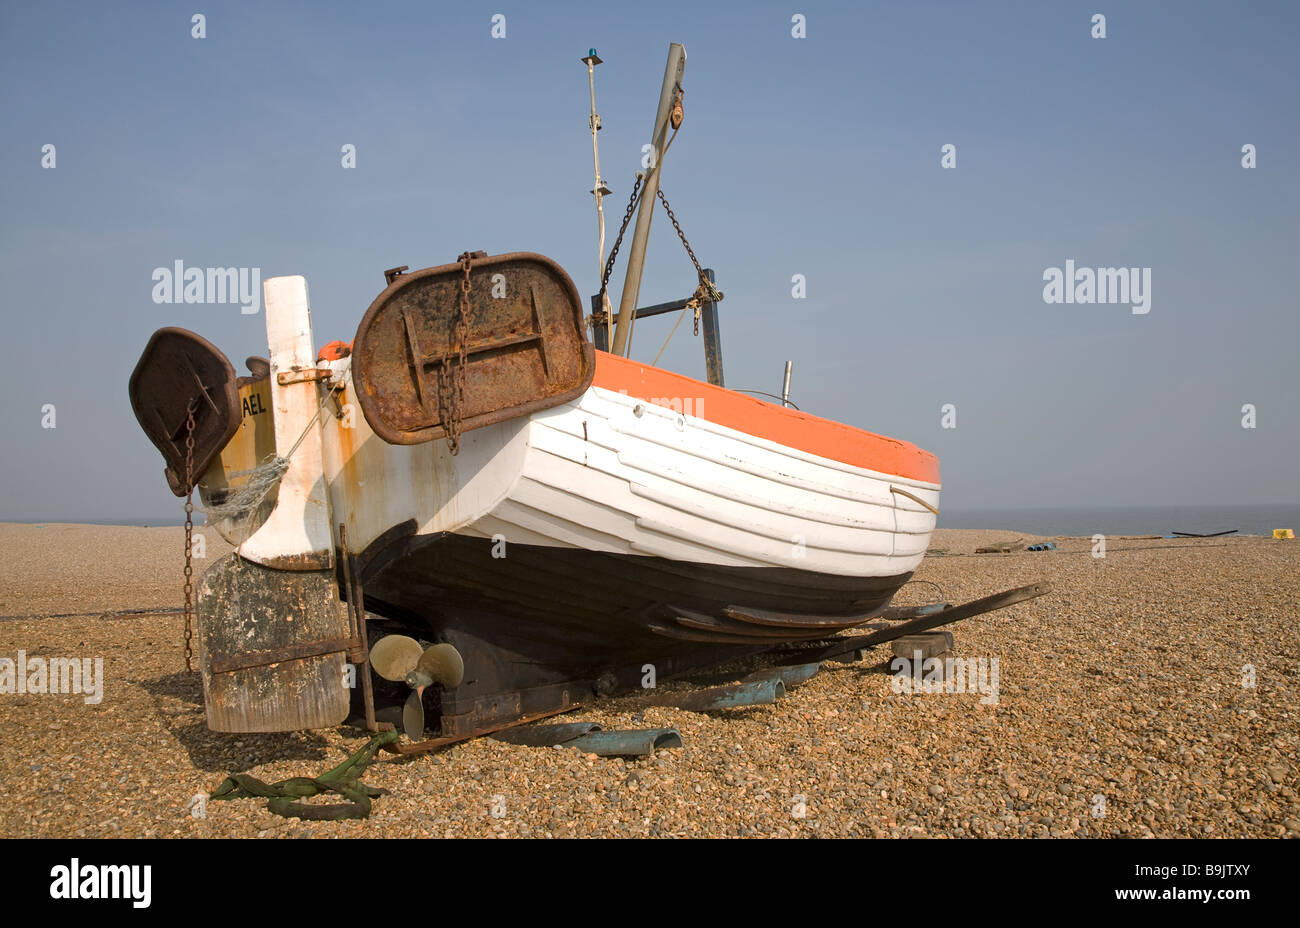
(527, 346)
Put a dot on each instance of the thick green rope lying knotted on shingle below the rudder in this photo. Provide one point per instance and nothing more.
(343, 780)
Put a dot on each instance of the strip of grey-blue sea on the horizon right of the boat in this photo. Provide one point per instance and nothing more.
(1155, 521)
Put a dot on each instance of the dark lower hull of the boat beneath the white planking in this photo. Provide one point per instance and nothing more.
(543, 628)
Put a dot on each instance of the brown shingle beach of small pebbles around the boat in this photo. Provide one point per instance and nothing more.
(1124, 684)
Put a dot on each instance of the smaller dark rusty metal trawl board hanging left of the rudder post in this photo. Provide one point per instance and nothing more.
(179, 367)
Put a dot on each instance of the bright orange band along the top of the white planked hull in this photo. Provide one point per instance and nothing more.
(791, 428)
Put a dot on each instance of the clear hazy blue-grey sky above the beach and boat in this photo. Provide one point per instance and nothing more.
(820, 157)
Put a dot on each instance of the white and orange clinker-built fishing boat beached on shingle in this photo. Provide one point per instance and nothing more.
(483, 511)
